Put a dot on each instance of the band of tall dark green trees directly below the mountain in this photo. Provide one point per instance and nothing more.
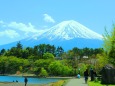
(38, 51)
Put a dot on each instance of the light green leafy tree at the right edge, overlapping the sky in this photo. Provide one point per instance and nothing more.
(109, 45)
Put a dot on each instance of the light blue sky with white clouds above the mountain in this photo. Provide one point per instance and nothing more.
(24, 18)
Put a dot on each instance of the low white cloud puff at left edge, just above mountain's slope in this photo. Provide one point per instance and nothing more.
(9, 33)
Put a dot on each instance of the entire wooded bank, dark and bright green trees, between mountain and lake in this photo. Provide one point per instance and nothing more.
(44, 60)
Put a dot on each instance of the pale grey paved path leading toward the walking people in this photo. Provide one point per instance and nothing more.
(76, 82)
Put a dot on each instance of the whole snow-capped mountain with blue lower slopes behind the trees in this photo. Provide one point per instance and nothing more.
(67, 34)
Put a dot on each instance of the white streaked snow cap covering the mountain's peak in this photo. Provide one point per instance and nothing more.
(70, 29)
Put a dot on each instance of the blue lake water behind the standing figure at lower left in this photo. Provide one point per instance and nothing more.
(30, 79)
